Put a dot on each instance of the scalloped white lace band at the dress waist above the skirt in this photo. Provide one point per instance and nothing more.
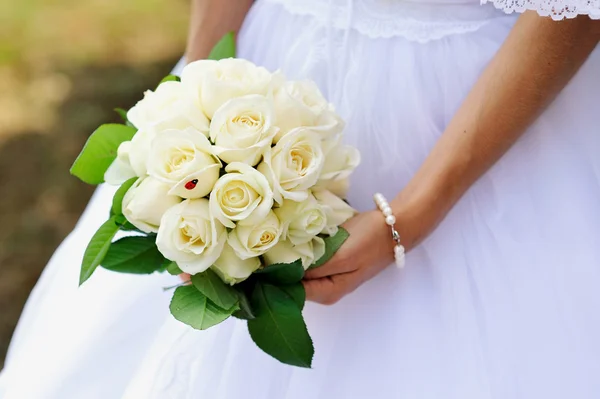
(420, 22)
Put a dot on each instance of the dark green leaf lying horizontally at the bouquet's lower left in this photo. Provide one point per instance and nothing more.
(136, 255)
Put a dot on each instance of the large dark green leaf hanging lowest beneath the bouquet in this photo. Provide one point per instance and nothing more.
(279, 328)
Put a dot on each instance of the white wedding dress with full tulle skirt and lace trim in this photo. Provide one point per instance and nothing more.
(502, 301)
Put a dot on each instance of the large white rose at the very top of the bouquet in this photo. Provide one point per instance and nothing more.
(213, 83)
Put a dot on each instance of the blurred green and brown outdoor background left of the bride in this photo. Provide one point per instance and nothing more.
(64, 65)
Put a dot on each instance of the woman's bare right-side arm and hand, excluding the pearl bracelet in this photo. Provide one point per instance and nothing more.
(536, 61)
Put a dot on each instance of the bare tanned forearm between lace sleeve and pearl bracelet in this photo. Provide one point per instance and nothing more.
(536, 61)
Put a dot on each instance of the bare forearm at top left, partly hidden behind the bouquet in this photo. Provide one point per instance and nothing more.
(210, 21)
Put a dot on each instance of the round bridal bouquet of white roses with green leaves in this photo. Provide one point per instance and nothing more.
(233, 175)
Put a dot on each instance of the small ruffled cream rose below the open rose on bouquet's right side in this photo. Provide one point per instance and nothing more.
(301, 221)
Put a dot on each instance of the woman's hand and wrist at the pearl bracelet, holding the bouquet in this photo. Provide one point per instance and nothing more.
(368, 250)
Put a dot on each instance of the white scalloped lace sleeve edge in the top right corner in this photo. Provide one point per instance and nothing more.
(557, 9)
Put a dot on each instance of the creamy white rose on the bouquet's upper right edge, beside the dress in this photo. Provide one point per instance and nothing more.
(300, 103)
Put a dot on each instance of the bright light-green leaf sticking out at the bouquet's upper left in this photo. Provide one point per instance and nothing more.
(100, 151)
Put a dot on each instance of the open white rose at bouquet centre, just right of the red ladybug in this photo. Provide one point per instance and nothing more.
(241, 195)
